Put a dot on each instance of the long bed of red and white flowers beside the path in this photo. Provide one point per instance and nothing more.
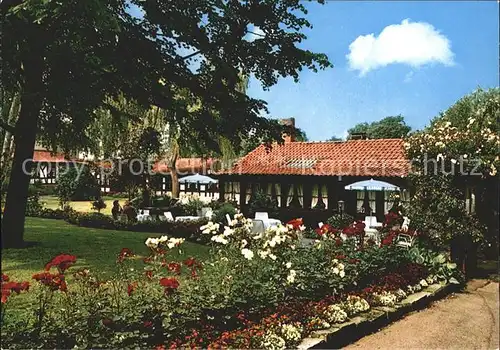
(254, 291)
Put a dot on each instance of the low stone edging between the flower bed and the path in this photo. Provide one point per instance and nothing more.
(371, 321)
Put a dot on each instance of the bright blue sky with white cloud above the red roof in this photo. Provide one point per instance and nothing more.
(329, 102)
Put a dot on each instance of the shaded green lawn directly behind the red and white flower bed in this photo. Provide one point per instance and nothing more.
(95, 249)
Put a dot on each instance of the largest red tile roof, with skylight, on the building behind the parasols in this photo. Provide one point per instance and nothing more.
(382, 157)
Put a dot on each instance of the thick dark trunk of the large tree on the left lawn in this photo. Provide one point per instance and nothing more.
(25, 136)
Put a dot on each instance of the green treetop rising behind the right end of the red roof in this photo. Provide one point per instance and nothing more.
(387, 128)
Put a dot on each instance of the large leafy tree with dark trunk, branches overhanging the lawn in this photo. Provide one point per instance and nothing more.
(67, 56)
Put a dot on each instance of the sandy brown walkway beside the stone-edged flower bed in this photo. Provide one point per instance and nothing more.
(462, 321)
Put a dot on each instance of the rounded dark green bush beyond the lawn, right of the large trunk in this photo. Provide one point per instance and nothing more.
(74, 186)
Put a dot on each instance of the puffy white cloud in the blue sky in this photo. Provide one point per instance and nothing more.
(411, 43)
